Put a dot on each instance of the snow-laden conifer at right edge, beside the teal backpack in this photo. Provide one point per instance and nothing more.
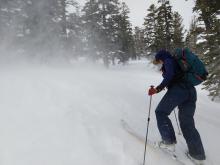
(209, 12)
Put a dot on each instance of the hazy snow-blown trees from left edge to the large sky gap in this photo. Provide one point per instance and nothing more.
(48, 29)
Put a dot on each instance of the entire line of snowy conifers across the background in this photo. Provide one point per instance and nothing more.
(101, 29)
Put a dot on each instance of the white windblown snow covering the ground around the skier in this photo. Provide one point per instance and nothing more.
(71, 115)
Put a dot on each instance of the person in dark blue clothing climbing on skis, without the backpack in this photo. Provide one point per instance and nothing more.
(180, 94)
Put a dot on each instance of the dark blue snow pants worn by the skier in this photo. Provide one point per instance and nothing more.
(183, 96)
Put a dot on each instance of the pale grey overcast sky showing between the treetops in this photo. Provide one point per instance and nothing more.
(139, 8)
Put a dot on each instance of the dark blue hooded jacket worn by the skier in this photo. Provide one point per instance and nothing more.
(170, 68)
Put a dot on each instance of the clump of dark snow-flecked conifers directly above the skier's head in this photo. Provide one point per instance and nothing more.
(163, 28)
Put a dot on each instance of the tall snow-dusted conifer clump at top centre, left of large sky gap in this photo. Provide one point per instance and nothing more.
(108, 30)
